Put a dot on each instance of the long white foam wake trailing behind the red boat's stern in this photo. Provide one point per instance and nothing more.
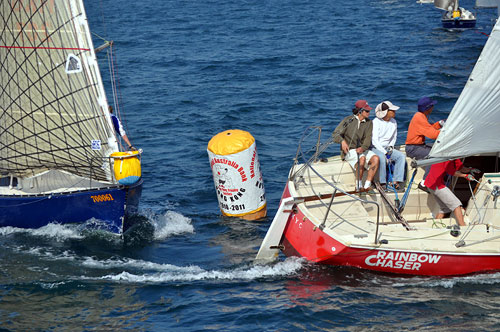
(193, 273)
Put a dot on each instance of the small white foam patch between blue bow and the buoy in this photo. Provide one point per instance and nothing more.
(171, 223)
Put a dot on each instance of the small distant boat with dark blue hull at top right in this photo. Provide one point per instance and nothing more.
(455, 17)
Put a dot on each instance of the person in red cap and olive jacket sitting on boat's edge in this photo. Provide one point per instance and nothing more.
(354, 133)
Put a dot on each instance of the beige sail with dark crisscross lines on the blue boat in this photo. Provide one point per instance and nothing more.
(53, 109)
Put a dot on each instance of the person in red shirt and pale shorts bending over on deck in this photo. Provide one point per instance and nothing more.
(435, 182)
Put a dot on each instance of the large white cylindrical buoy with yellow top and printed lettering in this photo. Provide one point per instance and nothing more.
(237, 175)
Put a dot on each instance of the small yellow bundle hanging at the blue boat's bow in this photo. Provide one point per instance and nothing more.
(127, 167)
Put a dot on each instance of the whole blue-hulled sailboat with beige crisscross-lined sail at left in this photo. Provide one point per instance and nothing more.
(56, 133)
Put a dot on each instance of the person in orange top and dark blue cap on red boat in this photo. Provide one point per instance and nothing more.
(418, 130)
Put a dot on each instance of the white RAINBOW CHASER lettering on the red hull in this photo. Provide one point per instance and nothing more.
(401, 260)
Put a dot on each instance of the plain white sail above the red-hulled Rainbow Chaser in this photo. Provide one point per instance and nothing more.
(473, 126)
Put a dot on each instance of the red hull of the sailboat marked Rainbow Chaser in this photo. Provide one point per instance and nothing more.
(301, 238)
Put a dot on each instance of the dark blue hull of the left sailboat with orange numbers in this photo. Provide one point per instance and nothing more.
(111, 208)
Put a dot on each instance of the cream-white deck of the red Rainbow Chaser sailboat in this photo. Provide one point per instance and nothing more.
(354, 223)
